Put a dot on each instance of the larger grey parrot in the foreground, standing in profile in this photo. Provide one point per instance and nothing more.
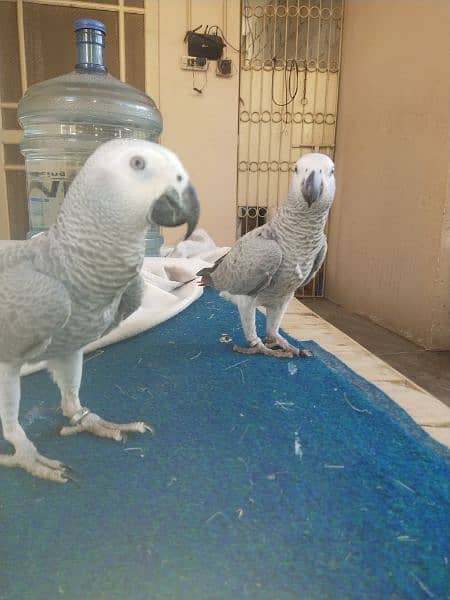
(65, 288)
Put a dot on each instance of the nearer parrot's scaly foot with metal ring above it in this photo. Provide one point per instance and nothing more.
(84, 420)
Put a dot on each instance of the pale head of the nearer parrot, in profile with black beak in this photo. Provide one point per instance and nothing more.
(146, 183)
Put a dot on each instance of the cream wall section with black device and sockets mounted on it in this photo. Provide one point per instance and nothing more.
(202, 128)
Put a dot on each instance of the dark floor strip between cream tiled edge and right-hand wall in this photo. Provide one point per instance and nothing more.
(430, 370)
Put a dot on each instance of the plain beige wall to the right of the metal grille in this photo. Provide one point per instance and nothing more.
(388, 251)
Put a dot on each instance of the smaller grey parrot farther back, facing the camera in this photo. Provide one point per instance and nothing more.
(267, 265)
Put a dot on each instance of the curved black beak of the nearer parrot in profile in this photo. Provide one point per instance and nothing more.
(171, 209)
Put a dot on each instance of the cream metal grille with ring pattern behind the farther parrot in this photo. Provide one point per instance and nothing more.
(289, 83)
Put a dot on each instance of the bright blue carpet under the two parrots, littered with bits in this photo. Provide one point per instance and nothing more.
(267, 479)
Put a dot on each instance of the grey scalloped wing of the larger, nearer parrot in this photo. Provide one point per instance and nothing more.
(32, 307)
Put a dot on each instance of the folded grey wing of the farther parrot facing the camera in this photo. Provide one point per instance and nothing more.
(248, 267)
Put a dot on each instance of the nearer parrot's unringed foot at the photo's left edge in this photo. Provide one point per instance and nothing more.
(28, 458)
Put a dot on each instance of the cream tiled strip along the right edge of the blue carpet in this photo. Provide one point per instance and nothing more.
(425, 408)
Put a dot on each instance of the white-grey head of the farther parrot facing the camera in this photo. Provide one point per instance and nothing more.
(313, 182)
